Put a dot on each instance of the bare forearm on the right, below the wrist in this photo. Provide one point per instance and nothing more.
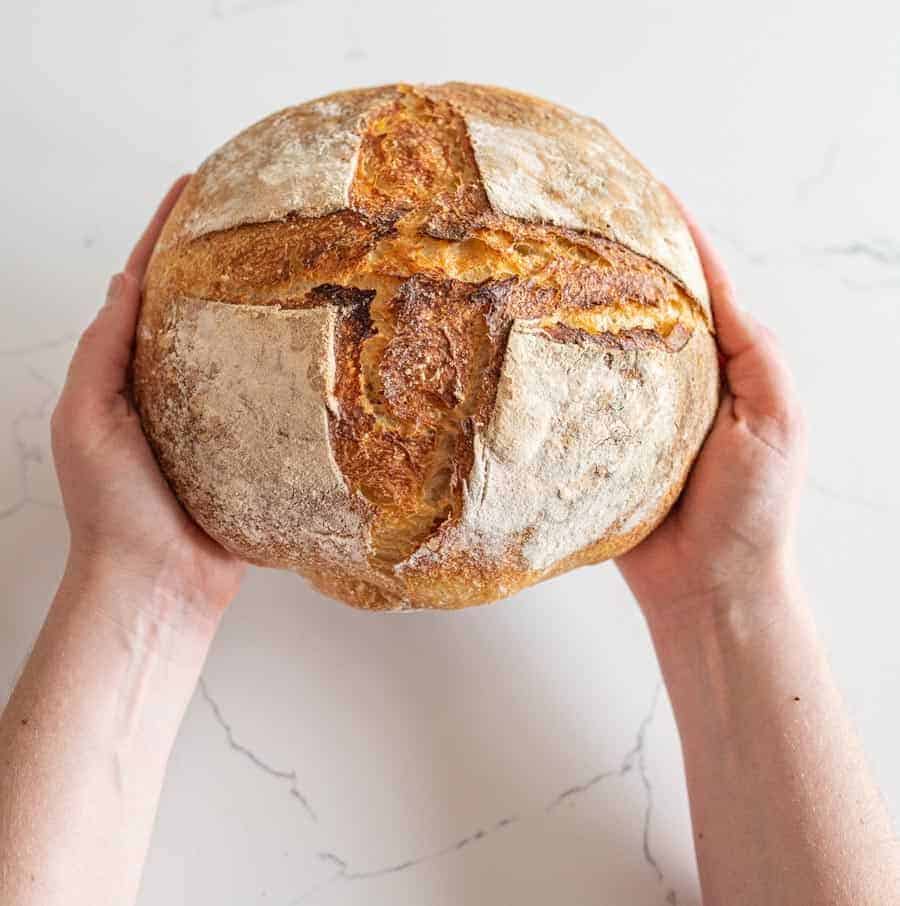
(783, 806)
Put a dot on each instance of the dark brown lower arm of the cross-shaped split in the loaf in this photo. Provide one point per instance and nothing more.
(415, 374)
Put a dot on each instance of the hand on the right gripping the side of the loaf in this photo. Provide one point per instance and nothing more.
(730, 533)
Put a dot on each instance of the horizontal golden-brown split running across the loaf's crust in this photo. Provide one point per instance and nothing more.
(277, 263)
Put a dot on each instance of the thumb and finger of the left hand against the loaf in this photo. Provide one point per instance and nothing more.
(99, 369)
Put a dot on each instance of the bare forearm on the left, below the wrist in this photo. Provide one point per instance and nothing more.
(85, 739)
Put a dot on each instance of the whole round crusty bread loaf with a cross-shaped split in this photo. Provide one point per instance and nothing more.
(425, 345)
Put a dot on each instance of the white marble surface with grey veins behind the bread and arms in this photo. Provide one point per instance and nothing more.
(778, 123)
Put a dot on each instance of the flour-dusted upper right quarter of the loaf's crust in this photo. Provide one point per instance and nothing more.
(541, 162)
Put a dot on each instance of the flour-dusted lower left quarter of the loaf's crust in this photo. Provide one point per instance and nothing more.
(233, 403)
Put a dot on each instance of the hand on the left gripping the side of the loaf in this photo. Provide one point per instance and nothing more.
(123, 518)
